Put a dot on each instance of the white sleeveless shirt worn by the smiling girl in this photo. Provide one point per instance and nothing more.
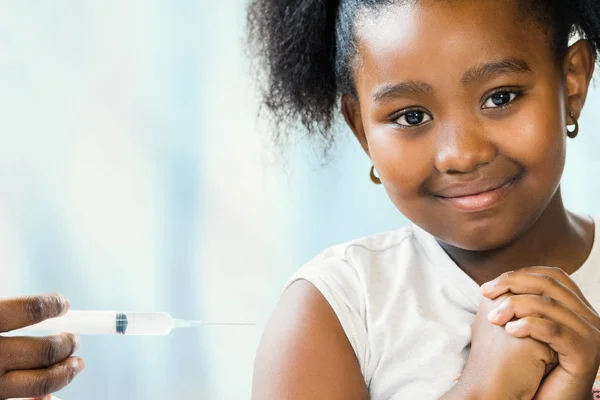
(407, 308)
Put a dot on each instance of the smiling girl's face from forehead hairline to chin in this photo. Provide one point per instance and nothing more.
(462, 110)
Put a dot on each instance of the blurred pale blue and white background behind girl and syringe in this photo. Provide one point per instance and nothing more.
(134, 175)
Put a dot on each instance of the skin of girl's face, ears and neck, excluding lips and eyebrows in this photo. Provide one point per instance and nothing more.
(464, 142)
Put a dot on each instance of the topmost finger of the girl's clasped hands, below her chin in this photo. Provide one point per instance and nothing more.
(523, 282)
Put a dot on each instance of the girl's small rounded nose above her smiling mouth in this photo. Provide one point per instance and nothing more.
(463, 148)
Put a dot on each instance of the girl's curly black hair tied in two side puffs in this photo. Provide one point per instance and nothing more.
(305, 50)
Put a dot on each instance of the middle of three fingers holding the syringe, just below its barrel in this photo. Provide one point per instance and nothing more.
(35, 352)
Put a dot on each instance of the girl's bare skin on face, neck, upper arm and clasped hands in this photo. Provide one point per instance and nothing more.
(454, 98)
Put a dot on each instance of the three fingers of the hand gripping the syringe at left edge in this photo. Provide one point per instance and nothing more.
(35, 366)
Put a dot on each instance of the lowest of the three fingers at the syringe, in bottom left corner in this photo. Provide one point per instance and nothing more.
(39, 382)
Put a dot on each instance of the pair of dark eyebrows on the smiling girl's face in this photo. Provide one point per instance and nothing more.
(477, 73)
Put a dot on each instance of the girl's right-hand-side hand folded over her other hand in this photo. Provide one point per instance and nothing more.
(547, 306)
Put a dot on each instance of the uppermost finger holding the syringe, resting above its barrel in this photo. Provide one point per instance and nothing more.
(20, 312)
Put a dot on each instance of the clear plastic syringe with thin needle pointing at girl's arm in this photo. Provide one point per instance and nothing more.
(118, 323)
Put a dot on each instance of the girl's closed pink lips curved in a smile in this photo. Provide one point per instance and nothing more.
(477, 195)
